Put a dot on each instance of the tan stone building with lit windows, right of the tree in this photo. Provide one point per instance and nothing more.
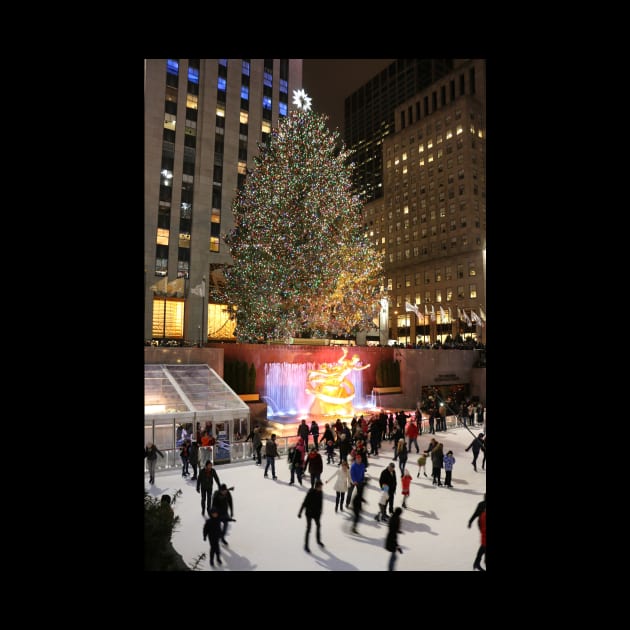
(431, 220)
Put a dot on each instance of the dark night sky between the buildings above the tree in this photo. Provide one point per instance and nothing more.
(329, 81)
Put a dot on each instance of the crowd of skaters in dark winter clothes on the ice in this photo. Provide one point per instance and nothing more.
(350, 449)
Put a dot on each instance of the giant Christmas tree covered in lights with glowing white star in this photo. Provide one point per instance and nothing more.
(303, 265)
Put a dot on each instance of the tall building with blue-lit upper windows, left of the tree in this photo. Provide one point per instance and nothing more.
(203, 120)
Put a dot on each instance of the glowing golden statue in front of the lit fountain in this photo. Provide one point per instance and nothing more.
(331, 387)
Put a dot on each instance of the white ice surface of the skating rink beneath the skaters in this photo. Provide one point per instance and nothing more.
(268, 536)
